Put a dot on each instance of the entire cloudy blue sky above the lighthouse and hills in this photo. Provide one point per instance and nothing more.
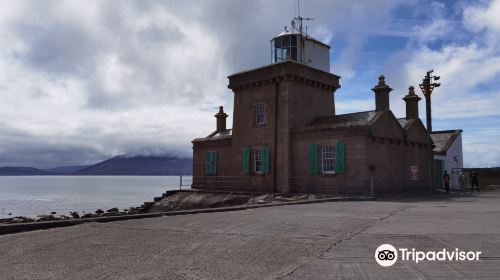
(82, 81)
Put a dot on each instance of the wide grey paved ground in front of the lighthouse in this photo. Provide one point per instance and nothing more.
(334, 240)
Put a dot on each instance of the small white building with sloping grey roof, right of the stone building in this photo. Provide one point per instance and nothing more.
(447, 156)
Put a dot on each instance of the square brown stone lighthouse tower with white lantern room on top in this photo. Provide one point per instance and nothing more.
(271, 101)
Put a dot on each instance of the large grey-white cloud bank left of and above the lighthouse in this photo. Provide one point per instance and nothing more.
(96, 79)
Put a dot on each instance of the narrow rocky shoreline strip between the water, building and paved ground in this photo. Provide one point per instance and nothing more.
(198, 200)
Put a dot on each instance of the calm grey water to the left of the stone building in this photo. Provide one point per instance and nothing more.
(33, 195)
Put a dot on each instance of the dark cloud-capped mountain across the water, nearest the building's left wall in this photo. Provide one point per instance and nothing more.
(140, 165)
